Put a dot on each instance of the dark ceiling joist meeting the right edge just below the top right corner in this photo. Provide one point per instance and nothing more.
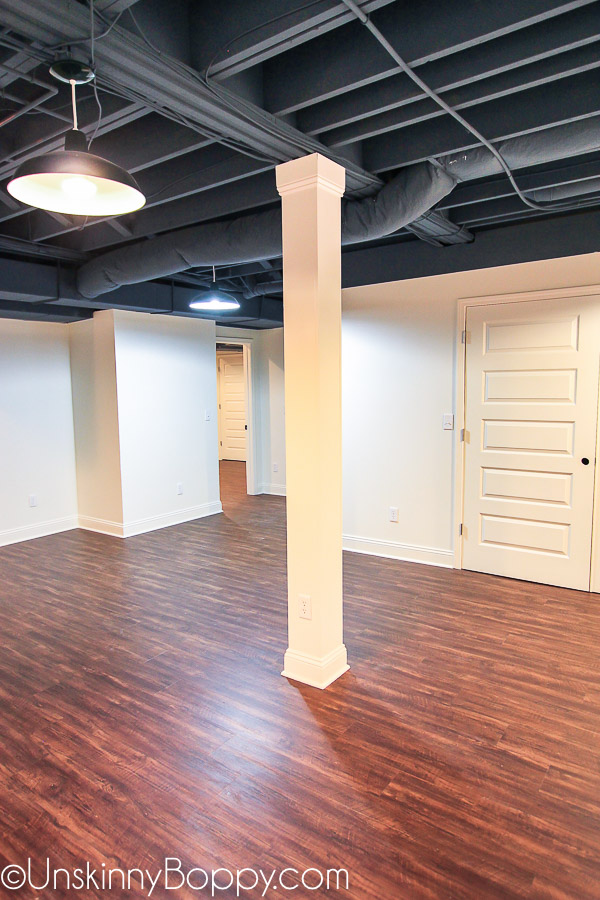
(519, 49)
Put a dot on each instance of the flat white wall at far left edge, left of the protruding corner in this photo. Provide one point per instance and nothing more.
(36, 431)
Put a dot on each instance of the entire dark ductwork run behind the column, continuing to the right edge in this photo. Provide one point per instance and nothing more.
(407, 197)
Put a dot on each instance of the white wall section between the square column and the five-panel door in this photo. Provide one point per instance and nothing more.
(397, 382)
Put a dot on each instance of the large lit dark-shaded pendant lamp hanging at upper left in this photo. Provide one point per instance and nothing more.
(73, 181)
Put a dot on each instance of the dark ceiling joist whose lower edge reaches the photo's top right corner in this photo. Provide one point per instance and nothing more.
(420, 32)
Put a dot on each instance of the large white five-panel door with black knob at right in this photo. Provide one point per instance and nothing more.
(531, 401)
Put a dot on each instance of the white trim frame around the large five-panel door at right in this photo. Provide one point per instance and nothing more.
(587, 290)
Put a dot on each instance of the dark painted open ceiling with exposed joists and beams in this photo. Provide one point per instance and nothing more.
(511, 68)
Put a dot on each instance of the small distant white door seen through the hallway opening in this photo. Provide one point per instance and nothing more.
(232, 406)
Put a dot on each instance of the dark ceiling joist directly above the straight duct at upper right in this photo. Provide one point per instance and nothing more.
(540, 108)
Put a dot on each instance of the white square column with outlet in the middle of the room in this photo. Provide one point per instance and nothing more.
(311, 189)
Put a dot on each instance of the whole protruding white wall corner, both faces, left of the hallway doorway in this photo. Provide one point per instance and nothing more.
(142, 387)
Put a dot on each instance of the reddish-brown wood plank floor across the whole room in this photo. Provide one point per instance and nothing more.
(143, 715)
